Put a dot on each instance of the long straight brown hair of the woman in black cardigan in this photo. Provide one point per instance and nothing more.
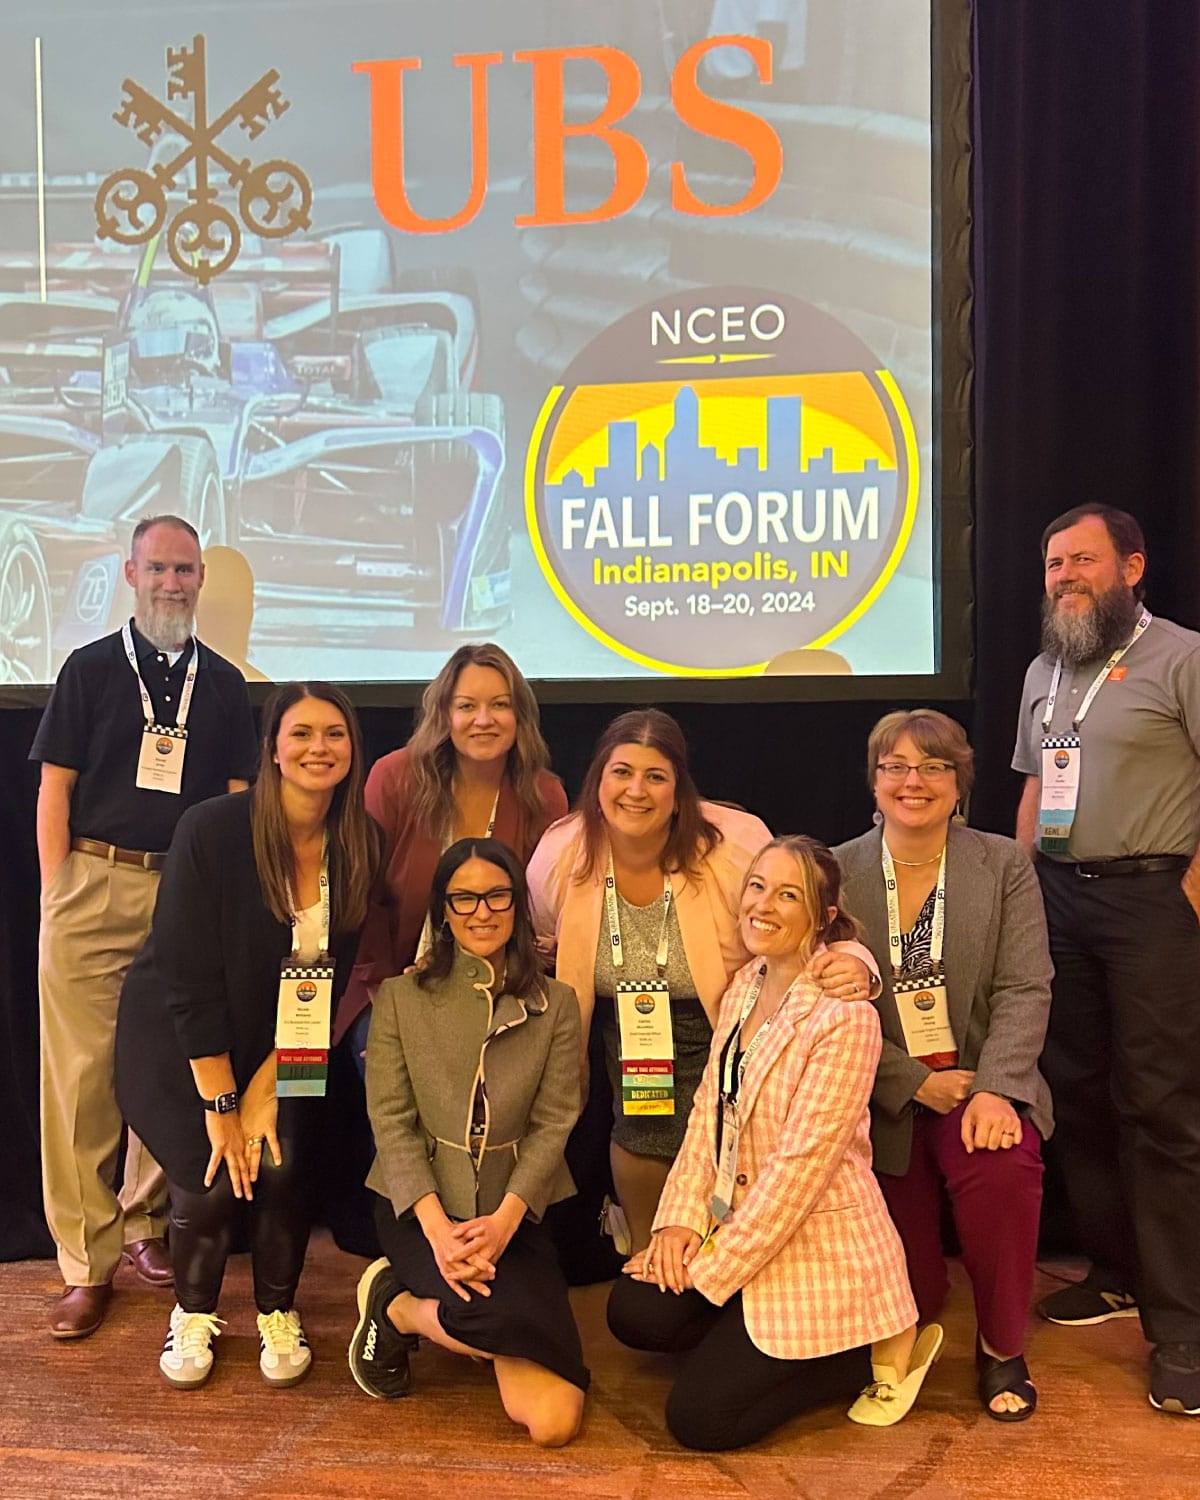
(353, 838)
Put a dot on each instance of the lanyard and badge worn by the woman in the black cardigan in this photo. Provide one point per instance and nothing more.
(305, 1010)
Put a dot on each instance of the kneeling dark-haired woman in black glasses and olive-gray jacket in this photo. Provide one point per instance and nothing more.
(473, 1088)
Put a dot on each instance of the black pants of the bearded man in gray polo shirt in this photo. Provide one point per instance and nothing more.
(1123, 1058)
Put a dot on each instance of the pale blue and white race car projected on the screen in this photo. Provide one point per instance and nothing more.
(311, 410)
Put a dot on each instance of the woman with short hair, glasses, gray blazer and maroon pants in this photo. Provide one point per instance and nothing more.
(956, 922)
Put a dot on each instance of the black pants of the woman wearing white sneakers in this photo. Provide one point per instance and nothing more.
(280, 1220)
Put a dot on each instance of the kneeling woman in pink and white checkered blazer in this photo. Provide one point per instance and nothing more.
(772, 1232)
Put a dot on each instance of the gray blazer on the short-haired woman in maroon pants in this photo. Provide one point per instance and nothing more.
(998, 980)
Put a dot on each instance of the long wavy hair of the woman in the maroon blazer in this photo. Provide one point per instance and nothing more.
(433, 758)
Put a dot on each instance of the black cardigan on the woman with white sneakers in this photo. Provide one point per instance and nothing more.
(206, 983)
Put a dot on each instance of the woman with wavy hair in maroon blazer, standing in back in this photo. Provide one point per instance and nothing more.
(475, 767)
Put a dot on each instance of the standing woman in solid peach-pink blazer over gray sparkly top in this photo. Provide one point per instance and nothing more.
(641, 886)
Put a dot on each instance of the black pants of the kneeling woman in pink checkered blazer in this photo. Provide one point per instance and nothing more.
(728, 1393)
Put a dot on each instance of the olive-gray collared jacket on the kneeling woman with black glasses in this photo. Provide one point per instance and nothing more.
(427, 1052)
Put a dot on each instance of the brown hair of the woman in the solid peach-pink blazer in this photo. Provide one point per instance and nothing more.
(692, 836)
